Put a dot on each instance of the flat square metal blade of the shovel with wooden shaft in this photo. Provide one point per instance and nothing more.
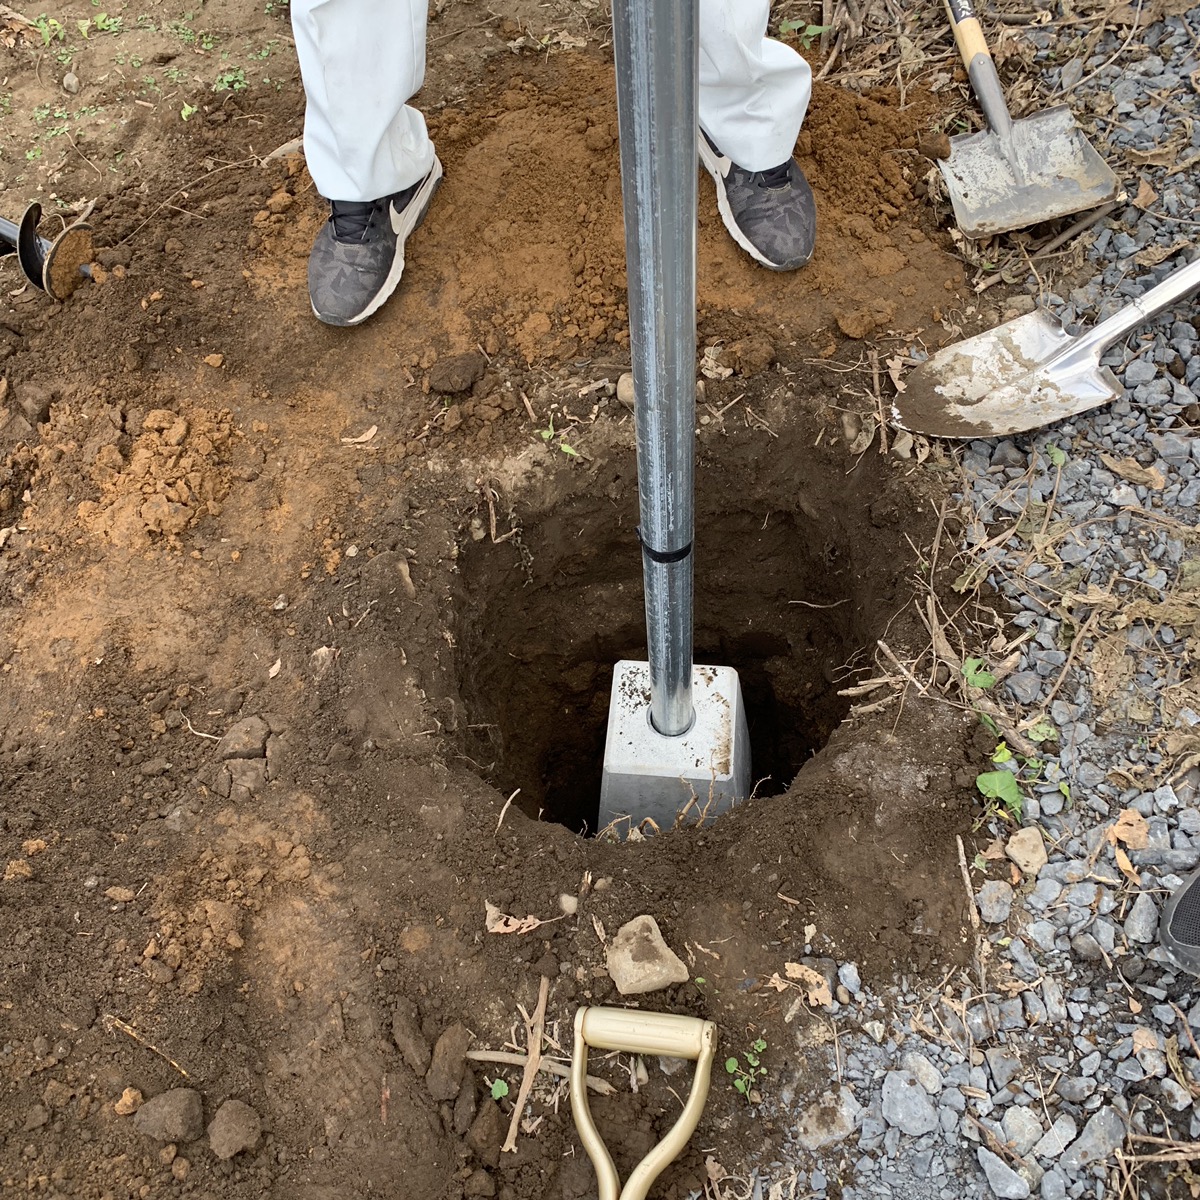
(1058, 172)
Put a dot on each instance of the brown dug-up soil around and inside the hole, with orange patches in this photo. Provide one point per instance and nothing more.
(197, 538)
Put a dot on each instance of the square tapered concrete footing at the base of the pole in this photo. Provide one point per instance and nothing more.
(650, 776)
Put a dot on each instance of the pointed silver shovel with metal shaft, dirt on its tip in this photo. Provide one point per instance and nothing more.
(1027, 374)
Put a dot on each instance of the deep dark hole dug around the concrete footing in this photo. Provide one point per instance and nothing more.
(542, 622)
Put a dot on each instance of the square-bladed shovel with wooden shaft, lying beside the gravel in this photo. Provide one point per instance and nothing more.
(1017, 173)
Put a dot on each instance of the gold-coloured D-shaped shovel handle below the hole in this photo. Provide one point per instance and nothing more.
(651, 1034)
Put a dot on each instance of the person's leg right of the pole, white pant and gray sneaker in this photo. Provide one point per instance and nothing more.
(754, 94)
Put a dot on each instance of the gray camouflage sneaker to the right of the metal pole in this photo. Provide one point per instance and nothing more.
(770, 214)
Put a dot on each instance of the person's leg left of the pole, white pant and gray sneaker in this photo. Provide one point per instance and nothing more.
(368, 151)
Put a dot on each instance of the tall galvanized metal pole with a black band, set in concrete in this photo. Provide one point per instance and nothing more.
(656, 50)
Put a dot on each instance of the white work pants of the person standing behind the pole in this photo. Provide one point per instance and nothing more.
(363, 61)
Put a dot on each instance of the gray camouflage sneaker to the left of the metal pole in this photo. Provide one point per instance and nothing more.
(359, 255)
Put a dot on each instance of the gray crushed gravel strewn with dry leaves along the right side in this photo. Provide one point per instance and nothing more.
(1077, 1034)
